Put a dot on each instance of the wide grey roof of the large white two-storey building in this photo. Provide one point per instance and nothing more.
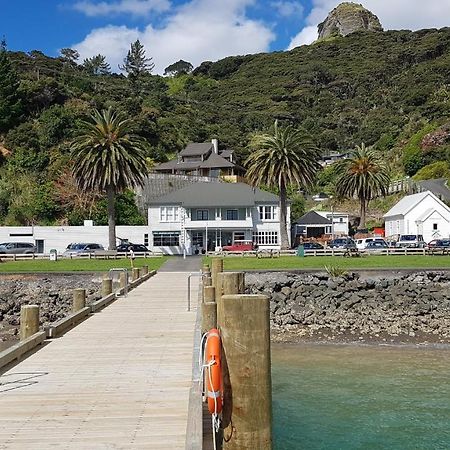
(216, 195)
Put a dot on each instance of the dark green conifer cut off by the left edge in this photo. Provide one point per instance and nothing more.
(10, 102)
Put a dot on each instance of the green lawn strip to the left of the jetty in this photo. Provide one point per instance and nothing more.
(78, 265)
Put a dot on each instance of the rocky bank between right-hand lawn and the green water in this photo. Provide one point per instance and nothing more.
(412, 308)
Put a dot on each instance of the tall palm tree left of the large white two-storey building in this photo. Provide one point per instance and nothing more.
(108, 158)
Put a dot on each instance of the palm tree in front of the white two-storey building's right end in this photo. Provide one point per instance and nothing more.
(286, 157)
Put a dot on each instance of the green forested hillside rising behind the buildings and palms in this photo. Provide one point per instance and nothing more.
(390, 90)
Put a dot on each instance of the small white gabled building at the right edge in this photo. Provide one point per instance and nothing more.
(421, 213)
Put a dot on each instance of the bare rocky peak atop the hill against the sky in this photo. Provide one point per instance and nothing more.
(348, 18)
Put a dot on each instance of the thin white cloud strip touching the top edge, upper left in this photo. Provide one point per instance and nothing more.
(135, 7)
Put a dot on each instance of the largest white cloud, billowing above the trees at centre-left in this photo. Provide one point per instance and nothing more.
(199, 30)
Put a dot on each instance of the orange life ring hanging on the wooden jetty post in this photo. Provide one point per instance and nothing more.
(213, 372)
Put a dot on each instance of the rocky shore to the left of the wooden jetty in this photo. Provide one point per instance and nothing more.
(53, 293)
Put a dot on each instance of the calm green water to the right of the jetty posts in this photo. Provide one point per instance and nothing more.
(349, 397)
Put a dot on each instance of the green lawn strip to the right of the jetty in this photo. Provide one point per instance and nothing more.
(318, 262)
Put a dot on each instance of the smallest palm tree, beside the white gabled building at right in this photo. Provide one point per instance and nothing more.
(364, 175)
